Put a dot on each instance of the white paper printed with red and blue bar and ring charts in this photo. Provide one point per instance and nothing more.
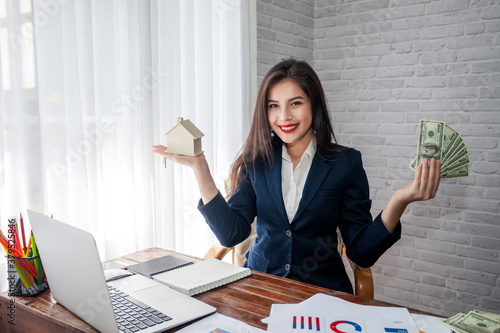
(323, 313)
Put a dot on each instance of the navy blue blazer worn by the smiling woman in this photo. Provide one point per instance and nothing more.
(336, 193)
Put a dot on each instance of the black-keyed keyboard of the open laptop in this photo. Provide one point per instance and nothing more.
(131, 314)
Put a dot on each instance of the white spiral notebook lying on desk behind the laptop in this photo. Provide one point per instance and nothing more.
(202, 276)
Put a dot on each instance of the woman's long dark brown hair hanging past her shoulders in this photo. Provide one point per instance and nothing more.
(258, 145)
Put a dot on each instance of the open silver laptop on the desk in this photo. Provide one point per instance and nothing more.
(76, 279)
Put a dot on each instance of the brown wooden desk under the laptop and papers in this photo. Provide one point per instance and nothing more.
(248, 300)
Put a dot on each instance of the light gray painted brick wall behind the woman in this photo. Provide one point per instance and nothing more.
(386, 64)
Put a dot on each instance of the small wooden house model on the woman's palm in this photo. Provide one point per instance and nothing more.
(184, 138)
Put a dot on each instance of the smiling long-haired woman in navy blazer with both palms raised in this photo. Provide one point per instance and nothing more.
(301, 185)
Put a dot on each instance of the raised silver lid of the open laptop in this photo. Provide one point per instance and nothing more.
(73, 269)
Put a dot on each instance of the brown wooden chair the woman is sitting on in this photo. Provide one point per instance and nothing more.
(363, 279)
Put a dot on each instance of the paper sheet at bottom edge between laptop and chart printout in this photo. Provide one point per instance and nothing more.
(218, 323)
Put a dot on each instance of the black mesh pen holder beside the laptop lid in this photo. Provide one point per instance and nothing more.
(26, 276)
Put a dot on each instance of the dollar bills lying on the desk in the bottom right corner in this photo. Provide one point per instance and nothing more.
(474, 322)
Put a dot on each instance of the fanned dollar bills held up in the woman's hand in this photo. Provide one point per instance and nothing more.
(437, 139)
